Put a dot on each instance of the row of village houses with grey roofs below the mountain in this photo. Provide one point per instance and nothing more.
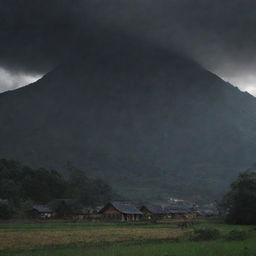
(113, 211)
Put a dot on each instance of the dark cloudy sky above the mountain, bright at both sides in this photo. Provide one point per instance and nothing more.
(37, 35)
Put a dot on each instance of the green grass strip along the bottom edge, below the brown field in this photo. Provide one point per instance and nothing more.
(156, 248)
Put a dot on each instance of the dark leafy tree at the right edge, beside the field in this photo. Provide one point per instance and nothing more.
(240, 202)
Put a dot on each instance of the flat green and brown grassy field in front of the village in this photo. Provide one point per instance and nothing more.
(98, 239)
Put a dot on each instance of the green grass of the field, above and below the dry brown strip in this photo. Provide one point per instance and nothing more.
(181, 247)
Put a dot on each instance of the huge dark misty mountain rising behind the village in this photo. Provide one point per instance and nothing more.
(150, 122)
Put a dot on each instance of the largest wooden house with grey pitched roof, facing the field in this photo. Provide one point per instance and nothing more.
(120, 210)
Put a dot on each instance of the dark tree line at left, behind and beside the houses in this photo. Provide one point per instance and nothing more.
(21, 186)
